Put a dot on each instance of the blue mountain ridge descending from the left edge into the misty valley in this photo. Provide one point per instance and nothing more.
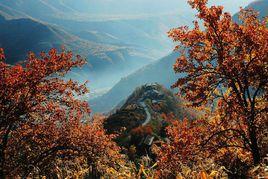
(19, 36)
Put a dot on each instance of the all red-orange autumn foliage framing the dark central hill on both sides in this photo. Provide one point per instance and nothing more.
(45, 129)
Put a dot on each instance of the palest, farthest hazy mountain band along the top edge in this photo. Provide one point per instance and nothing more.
(104, 8)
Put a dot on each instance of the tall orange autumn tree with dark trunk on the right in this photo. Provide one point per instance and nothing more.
(224, 65)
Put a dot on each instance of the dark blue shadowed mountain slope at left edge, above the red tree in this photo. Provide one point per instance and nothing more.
(18, 36)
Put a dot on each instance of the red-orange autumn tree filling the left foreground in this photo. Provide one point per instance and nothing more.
(43, 121)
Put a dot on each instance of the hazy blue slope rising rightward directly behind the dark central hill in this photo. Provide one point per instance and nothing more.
(160, 71)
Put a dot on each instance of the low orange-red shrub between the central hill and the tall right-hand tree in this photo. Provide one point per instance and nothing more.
(182, 156)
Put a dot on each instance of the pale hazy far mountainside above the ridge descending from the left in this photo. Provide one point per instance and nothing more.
(142, 23)
